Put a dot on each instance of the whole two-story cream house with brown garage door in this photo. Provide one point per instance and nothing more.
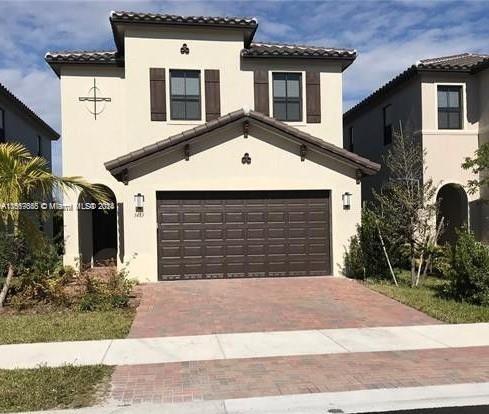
(204, 186)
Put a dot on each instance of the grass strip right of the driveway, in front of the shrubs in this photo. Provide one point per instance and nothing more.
(426, 298)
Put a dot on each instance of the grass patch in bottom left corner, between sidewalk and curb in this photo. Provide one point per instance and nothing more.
(46, 388)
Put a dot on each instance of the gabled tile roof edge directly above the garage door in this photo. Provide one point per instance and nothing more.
(118, 165)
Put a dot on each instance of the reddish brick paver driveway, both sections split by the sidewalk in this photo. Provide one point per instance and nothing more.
(282, 304)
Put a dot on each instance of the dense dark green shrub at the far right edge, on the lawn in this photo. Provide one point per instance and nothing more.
(468, 272)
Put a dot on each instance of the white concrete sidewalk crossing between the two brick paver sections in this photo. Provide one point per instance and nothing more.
(243, 345)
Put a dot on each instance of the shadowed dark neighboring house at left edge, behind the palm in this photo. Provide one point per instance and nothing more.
(18, 123)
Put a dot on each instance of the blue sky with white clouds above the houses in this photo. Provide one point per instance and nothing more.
(388, 35)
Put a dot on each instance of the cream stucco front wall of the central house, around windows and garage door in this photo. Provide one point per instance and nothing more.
(125, 125)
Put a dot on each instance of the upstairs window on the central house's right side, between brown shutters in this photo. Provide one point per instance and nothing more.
(287, 96)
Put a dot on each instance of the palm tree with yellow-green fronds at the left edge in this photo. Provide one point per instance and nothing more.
(25, 178)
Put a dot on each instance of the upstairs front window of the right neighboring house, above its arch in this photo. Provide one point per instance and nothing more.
(449, 107)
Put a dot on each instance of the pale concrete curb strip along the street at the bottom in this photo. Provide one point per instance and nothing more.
(349, 402)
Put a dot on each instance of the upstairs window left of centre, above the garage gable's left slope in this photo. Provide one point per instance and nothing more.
(185, 94)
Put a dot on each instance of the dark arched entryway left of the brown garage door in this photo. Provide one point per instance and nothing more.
(97, 231)
